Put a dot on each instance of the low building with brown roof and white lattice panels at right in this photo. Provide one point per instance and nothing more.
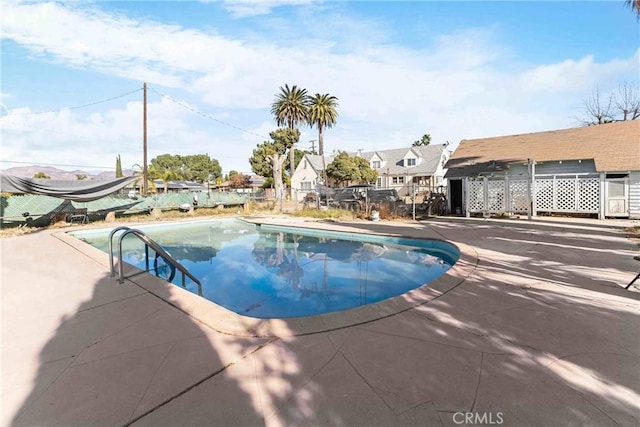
(588, 170)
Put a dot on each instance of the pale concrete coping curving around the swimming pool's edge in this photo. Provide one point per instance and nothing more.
(228, 322)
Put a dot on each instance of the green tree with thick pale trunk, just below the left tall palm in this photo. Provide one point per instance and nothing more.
(269, 157)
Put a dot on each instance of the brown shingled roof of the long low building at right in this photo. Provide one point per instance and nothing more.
(612, 146)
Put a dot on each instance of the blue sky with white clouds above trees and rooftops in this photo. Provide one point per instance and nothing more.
(455, 70)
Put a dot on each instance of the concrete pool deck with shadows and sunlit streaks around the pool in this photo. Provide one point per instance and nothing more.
(533, 328)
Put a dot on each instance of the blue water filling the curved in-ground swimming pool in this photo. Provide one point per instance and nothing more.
(280, 272)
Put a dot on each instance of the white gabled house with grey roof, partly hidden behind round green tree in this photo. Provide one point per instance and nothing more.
(398, 169)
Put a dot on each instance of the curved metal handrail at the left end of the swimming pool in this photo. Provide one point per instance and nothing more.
(149, 243)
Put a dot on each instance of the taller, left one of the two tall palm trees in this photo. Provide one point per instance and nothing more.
(291, 108)
